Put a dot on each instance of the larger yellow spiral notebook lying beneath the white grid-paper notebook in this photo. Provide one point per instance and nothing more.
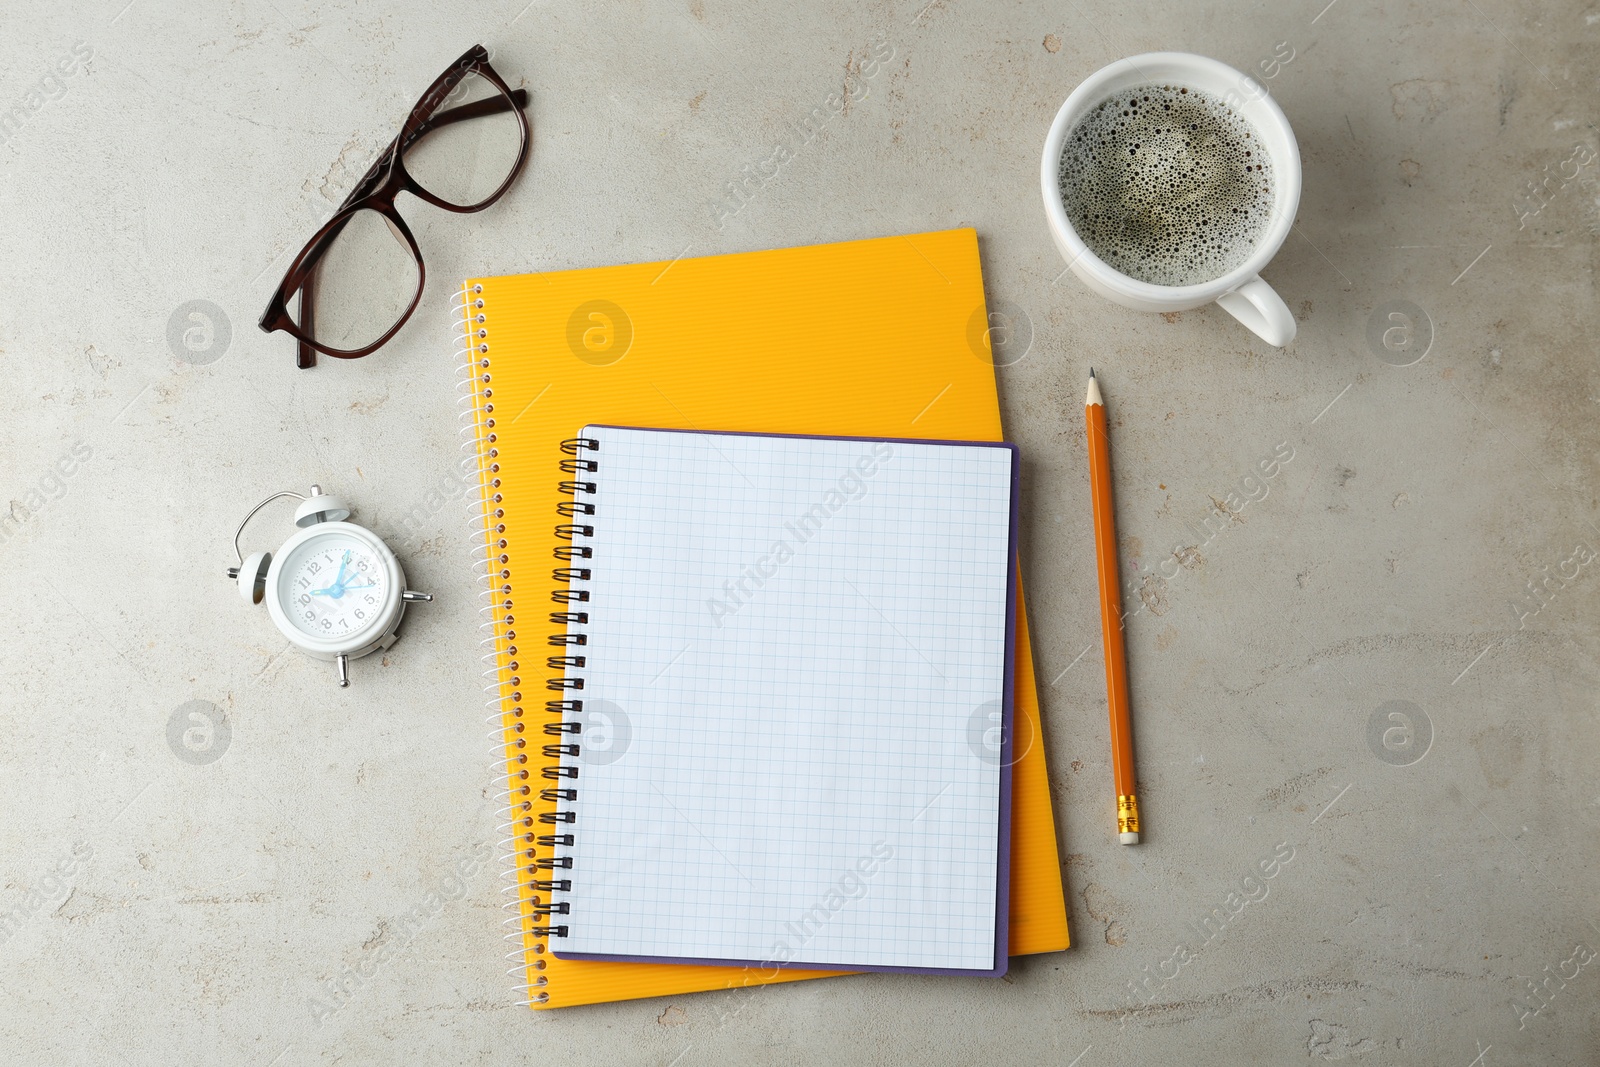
(876, 338)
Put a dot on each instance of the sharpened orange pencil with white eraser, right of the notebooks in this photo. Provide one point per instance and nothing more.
(1111, 618)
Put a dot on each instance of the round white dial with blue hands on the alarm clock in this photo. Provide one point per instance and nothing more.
(334, 586)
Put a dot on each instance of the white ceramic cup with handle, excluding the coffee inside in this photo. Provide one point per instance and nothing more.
(1241, 292)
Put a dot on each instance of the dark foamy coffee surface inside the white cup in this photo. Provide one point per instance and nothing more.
(1167, 185)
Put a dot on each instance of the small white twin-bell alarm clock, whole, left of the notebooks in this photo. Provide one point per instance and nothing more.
(335, 589)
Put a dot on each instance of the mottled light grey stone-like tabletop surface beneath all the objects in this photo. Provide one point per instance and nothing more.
(194, 901)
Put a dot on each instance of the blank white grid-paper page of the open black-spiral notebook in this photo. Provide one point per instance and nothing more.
(794, 673)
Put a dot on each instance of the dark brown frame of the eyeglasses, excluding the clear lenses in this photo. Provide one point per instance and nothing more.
(378, 190)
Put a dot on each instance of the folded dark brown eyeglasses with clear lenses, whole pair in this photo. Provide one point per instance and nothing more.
(361, 276)
